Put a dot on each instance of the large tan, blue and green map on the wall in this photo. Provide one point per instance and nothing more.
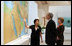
(14, 12)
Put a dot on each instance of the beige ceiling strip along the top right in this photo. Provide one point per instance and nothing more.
(54, 3)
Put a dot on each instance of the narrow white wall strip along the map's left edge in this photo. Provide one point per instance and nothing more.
(2, 16)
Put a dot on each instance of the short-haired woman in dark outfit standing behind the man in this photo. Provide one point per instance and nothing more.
(60, 31)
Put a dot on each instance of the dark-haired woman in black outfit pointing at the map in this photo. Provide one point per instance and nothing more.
(36, 32)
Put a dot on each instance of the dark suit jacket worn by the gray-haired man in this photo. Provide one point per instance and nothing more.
(50, 32)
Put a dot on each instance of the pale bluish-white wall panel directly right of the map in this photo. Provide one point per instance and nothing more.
(32, 14)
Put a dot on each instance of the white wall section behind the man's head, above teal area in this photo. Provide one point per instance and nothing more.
(60, 11)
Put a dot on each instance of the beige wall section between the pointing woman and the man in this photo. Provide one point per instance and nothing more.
(42, 11)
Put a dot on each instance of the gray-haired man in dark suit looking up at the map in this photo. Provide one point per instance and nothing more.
(50, 36)
